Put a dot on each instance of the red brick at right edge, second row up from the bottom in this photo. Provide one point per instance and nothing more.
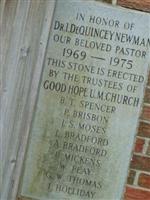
(144, 180)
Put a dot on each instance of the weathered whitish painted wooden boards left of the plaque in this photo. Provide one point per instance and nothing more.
(25, 26)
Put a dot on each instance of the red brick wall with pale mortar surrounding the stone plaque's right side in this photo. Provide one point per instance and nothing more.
(138, 181)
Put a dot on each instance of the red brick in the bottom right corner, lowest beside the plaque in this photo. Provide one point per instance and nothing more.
(136, 194)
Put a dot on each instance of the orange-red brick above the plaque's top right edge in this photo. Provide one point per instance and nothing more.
(135, 4)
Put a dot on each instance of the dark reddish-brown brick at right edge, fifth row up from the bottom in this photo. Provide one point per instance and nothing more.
(144, 129)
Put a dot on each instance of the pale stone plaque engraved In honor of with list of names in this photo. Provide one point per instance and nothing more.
(89, 102)
